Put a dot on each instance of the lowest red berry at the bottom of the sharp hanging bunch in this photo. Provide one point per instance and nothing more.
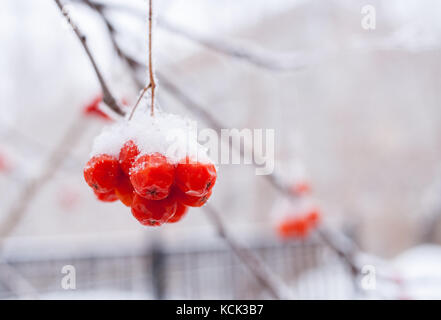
(153, 212)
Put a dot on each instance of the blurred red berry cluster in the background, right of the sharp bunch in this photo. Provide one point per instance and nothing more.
(299, 225)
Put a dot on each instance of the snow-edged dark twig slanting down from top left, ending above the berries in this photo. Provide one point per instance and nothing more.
(107, 96)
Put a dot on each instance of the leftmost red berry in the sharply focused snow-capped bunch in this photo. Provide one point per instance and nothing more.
(102, 173)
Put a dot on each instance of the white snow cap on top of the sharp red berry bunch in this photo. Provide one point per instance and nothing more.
(169, 134)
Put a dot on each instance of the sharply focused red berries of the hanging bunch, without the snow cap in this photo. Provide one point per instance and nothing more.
(157, 190)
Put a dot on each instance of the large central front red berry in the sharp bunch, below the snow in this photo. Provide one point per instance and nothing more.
(152, 176)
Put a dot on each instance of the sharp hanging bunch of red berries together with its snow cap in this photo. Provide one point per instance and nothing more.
(154, 165)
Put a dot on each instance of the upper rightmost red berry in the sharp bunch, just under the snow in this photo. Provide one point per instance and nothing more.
(195, 178)
